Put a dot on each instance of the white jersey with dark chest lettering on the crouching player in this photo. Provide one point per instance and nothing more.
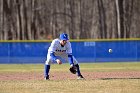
(58, 49)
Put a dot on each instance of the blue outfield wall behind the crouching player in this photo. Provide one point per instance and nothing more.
(84, 51)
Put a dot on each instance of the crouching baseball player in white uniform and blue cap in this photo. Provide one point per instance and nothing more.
(60, 51)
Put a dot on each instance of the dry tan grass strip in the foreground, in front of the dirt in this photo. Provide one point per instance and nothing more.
(71, 86)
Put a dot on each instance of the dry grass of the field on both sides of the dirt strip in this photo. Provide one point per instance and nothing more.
(70, 85)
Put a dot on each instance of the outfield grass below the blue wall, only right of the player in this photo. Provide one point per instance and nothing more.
(109, 67)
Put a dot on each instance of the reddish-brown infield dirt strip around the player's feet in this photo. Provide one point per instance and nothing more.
(67, 76)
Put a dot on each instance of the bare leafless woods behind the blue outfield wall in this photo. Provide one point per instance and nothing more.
(81, 19)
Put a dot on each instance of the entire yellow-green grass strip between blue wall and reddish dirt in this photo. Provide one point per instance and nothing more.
(96, 67)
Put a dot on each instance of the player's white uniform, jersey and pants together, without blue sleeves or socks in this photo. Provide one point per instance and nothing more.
(60, 52)
